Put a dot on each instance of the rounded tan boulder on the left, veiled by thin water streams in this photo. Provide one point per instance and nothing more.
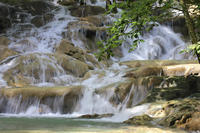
(29, 69)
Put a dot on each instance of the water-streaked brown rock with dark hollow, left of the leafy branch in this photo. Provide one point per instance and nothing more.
(85, 33)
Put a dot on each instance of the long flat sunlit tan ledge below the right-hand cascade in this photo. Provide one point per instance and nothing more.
(162, 68)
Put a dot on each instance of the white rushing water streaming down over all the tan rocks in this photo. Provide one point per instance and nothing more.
(160, 43)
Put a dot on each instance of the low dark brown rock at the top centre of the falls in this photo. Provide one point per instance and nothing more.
(86, 10)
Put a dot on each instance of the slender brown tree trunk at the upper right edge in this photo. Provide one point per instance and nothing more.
(190, 25)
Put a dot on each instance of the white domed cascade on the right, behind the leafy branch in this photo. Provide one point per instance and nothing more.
(160, 43)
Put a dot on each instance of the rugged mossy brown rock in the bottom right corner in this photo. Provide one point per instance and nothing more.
(181, 114)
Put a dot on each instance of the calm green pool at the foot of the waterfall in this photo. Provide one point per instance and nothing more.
(66, 125)
